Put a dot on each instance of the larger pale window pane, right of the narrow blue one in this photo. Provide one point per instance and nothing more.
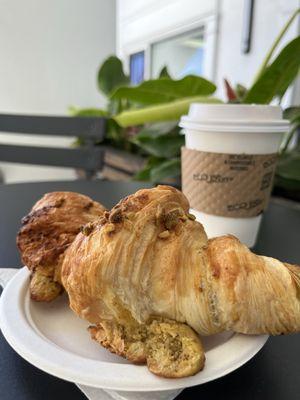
(182, 54)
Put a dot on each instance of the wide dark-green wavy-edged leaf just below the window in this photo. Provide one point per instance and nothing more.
(165, 90)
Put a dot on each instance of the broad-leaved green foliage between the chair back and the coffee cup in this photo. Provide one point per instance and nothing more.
(144, 119)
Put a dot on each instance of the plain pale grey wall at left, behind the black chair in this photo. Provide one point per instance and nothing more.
(49, 55)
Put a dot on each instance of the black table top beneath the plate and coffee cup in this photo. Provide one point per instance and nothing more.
(272, 374)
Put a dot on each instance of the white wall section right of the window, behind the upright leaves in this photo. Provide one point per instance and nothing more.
(269, 18)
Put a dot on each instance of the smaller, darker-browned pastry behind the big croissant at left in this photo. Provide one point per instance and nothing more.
(46, 233)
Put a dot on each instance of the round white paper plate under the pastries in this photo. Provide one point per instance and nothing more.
(55, 340)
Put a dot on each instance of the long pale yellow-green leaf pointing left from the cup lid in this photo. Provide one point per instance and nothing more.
(163, 112)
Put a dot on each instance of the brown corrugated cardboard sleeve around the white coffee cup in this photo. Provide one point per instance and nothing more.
(229, 185)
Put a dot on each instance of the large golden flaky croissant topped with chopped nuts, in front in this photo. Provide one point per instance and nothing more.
(148, 265)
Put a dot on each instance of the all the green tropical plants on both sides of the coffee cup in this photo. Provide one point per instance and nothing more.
(144, 118)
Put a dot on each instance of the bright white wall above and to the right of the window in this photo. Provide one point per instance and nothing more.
(140, 23)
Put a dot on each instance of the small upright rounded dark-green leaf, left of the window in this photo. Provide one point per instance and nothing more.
(111, 75)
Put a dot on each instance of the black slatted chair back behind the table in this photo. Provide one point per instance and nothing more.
(88, 158)
